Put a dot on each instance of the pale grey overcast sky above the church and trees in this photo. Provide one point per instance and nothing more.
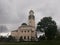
(15, 12)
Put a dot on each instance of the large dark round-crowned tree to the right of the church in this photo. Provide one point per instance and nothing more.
(48, 26)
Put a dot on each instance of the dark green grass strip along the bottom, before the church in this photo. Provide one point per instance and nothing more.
(54, 42)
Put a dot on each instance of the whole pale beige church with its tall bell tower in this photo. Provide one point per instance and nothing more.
(26, 31)
